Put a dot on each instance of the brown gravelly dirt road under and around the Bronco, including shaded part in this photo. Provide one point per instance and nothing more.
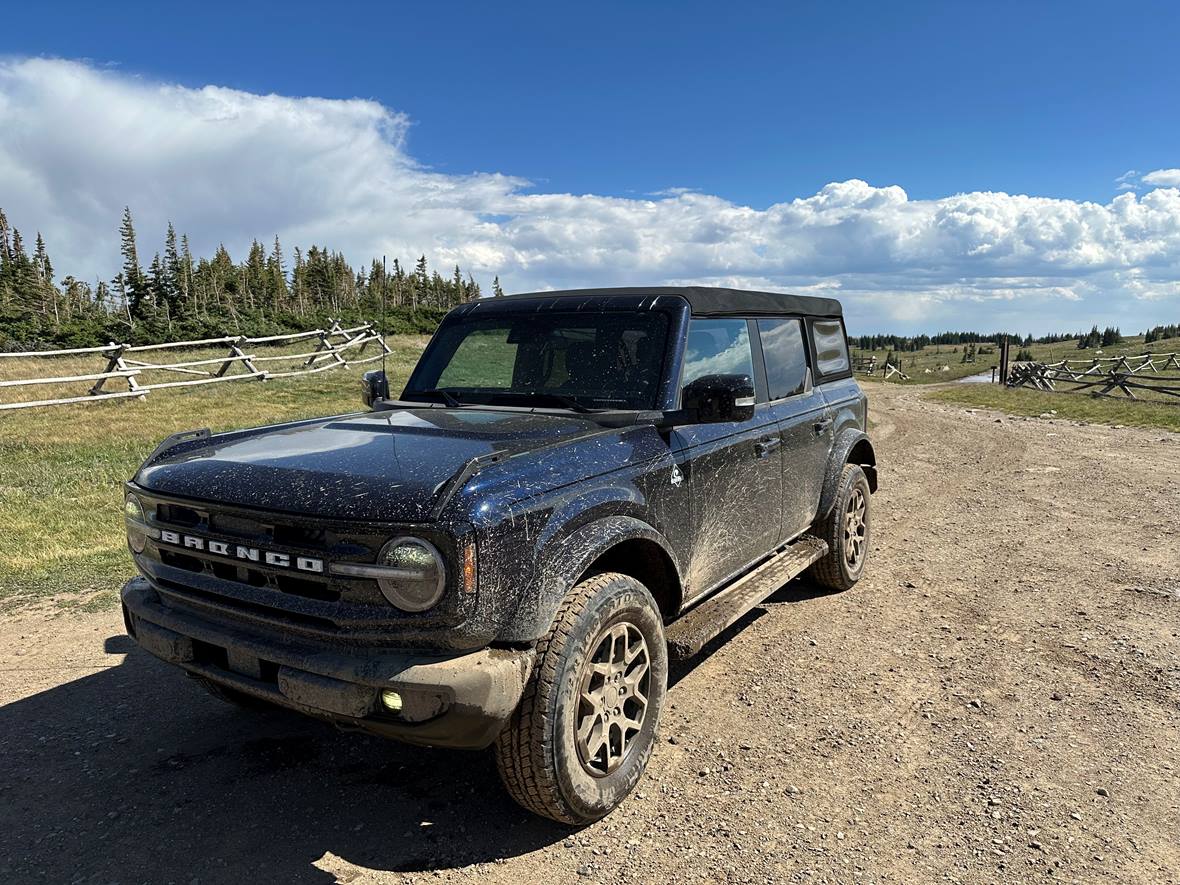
(998, 702)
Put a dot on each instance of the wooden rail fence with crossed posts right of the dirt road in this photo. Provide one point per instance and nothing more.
(1104, 377)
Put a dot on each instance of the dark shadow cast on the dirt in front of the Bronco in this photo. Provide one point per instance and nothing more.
(136, 775)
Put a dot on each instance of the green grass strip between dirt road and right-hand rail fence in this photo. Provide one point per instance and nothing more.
(1071, 407)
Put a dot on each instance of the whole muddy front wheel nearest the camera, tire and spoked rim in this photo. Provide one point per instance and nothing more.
(584, 733)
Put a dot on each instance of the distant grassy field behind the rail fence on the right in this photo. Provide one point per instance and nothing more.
(942, 363)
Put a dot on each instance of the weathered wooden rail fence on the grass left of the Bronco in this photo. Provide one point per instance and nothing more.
(333, 349)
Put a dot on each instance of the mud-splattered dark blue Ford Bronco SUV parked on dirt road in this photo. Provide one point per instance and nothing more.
(574, 488)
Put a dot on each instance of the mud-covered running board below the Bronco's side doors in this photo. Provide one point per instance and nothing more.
(690, 634)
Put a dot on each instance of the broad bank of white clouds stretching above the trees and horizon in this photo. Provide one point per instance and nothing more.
(78, 143)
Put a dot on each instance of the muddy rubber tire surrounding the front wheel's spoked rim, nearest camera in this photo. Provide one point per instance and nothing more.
(537, 753)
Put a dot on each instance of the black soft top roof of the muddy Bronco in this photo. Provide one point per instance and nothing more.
(705, 300)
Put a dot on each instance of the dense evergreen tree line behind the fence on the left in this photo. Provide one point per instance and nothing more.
(178, 296)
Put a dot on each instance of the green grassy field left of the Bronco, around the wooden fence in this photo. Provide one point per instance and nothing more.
(62, 468)
